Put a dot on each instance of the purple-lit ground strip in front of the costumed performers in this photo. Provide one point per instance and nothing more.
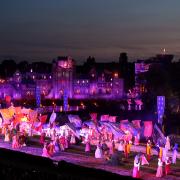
(78, 157)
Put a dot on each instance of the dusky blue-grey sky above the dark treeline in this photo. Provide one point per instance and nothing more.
(45, 29)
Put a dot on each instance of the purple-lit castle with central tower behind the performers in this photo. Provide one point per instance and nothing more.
(63, 80)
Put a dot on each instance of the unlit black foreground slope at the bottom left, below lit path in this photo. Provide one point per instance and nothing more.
(17, 165)
